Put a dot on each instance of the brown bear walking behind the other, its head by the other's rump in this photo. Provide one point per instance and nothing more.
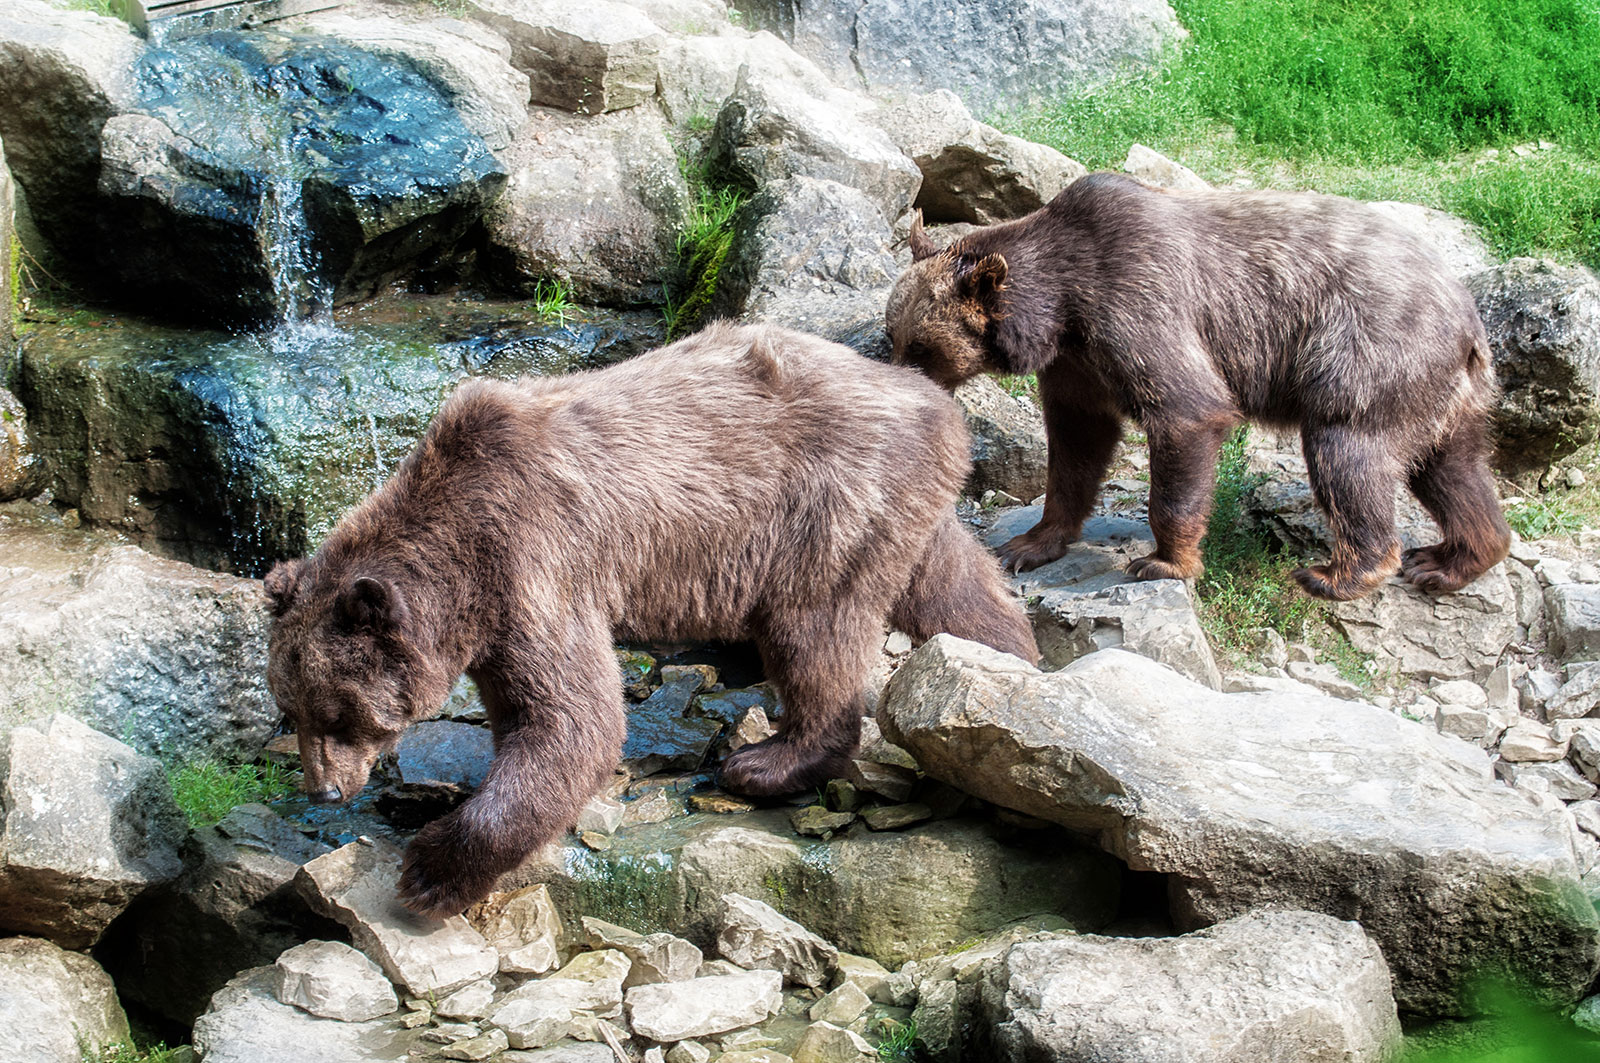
(1191, 313)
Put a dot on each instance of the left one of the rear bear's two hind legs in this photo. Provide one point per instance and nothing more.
(1353, 479)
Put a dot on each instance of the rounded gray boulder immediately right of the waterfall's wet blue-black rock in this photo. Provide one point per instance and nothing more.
(596, 204)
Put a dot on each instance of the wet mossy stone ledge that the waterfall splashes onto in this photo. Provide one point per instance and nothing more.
(236, 452)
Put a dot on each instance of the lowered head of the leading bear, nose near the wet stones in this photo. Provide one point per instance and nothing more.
(345, 667)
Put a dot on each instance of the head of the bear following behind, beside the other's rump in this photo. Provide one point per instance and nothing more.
(942, 311)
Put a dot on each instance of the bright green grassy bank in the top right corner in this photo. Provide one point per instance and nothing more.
(1489, 110)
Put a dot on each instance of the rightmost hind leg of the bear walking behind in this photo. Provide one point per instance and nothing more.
(1454, 483)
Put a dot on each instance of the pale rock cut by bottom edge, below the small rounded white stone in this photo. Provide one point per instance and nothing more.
(247, 1024)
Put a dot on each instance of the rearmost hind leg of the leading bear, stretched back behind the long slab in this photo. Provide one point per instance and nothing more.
(958, 590)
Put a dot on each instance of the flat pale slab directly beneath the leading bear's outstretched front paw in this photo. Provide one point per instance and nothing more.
(356, 888)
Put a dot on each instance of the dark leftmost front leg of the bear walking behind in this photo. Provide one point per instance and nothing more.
(1082, 431)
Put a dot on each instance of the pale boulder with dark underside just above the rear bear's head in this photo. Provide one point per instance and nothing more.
(974, 172)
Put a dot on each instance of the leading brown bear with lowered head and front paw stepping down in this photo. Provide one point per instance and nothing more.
(746, 483)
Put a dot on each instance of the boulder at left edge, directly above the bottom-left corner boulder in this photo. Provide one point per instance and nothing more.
(87, 825)
